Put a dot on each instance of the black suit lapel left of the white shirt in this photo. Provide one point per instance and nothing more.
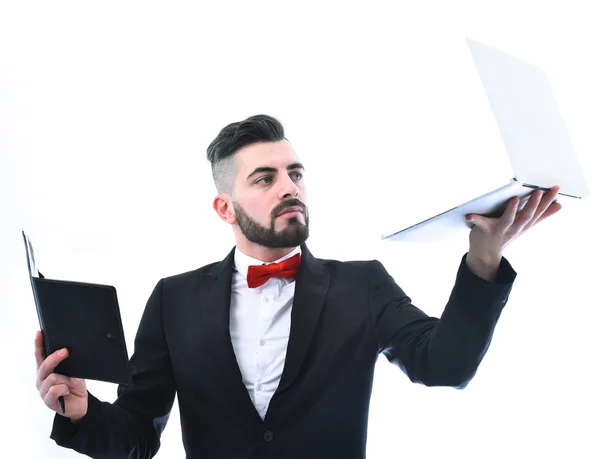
(215, 305)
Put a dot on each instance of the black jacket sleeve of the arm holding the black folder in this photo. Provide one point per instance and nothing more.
(131, 426)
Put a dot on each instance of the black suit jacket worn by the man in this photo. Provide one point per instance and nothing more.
(344, 315)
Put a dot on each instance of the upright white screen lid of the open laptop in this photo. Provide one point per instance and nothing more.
(529, 120)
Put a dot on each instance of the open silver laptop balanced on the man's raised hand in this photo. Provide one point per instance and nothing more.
(535, 137)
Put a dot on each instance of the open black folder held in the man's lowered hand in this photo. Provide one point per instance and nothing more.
(85, 318)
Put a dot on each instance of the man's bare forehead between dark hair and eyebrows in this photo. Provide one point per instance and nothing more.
(265, 154)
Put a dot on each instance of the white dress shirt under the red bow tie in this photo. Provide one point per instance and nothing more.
(259, 324)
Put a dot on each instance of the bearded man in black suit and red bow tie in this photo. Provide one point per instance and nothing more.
(277, 361)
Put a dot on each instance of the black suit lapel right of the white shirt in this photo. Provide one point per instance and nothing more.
(312, 283)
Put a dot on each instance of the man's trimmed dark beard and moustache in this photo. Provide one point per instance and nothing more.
(294, 234)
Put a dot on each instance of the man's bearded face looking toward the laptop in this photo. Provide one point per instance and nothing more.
(269, 196)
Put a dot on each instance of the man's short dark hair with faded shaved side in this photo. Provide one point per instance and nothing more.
(233, 137)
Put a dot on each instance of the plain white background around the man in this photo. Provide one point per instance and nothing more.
(106, 110)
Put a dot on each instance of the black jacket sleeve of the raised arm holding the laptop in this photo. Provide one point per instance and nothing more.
(443, 351)
